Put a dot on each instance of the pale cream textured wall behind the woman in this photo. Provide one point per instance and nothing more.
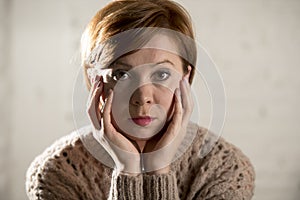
(256, 45)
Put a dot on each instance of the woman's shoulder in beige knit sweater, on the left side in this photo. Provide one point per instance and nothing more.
(63, 170)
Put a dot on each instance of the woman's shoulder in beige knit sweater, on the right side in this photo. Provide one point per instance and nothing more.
(221, 168)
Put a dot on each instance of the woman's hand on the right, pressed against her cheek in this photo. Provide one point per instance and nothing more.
(165, 149)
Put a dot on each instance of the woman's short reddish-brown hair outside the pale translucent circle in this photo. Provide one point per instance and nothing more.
(123, 15)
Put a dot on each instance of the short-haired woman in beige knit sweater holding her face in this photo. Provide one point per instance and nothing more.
(139, 60)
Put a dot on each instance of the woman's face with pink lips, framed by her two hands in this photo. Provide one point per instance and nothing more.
(144, 83)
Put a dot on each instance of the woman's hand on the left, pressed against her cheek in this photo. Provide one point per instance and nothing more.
(123, 152)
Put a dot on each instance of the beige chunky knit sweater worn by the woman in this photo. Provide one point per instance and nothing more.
(68, 171)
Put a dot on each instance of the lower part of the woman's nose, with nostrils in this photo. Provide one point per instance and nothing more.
(142, 95)
